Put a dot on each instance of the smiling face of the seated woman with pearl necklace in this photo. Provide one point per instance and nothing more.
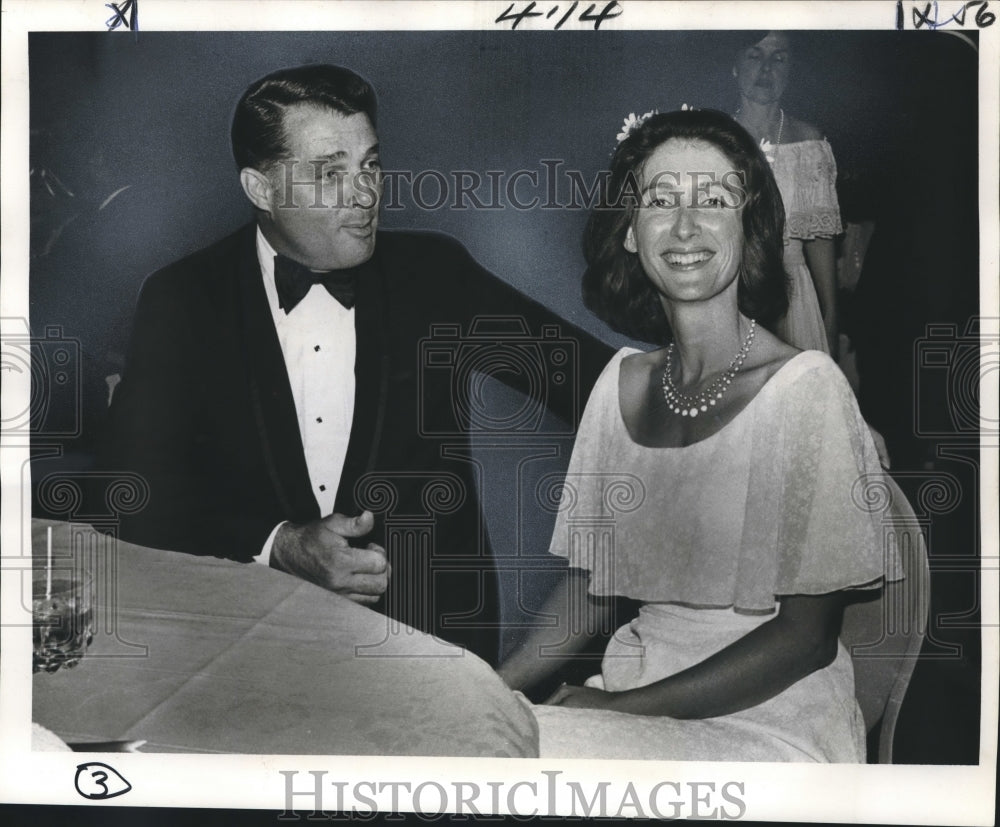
(688, 227)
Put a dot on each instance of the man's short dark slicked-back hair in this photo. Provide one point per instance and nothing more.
(258, 130)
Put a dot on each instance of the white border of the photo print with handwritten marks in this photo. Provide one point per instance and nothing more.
(838, 793)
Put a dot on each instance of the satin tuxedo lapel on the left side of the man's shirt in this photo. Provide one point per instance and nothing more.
(271, 393)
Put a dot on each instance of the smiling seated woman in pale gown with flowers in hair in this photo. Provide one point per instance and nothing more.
(714, 479)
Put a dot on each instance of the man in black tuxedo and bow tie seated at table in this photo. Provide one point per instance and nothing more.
(274, 397)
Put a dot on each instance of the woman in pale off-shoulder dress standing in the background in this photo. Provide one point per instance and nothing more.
(806, 173)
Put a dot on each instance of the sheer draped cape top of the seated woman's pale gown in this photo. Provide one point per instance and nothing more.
(779, 501)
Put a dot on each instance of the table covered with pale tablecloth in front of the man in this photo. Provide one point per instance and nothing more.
(201, 654)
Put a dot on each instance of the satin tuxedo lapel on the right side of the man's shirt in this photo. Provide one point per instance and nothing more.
(371, 373)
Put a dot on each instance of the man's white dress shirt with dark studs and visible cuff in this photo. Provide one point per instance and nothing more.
(318, 345)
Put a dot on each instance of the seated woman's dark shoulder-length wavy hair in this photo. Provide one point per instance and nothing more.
(616, 288)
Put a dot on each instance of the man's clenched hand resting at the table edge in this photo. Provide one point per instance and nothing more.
(319, 552)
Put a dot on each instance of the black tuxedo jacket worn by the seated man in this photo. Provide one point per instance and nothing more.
(205, 414)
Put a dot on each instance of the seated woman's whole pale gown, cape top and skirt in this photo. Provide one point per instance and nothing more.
(708, 536)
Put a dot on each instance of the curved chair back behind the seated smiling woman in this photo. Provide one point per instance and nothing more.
(884, 630)
